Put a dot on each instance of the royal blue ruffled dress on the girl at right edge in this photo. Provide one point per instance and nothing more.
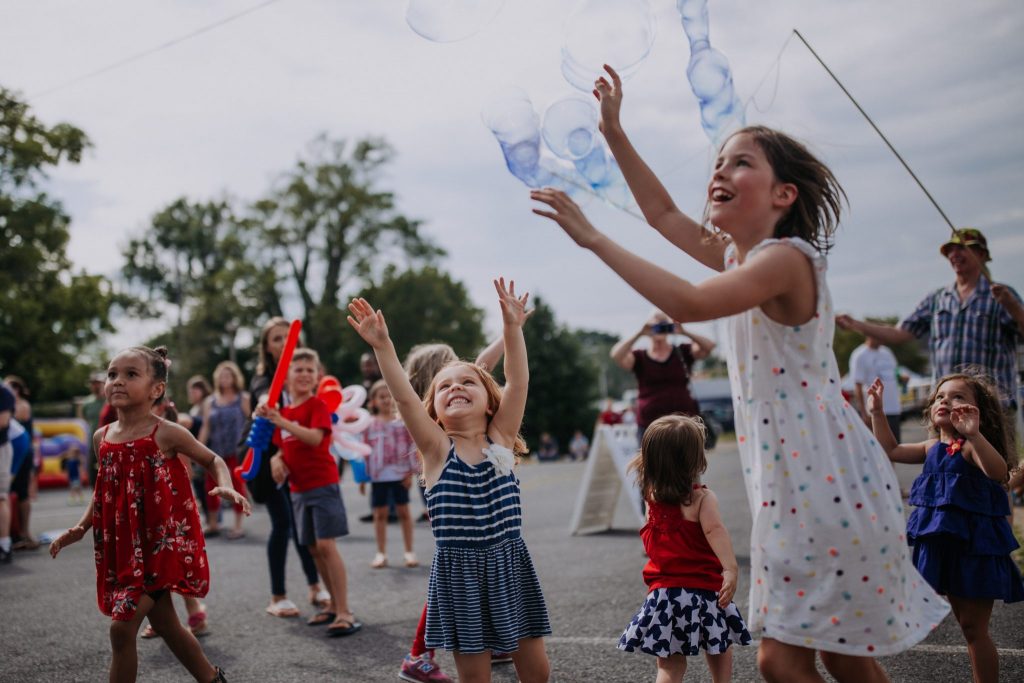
(959, 530)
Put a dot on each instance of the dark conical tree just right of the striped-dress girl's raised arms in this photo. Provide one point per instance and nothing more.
(563, 380)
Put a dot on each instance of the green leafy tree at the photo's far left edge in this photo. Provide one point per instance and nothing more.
(49, 313)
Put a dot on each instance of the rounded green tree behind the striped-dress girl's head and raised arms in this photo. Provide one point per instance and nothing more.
(422, 306)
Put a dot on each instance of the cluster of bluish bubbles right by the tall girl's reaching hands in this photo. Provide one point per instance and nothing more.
(564, 151)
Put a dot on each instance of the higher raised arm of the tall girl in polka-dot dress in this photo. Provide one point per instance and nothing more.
(654, 200)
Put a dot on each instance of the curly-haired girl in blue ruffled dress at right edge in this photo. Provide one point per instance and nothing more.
(960, 531)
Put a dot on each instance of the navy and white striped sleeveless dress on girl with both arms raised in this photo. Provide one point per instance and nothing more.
(484, 593)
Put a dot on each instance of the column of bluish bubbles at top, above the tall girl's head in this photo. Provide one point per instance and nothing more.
(709, 74)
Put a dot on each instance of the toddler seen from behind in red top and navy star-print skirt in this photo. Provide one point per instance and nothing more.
(692, 573)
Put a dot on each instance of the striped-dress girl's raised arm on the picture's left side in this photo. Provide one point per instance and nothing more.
(430, 438)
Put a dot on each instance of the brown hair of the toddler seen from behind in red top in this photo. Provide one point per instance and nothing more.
(671, 460)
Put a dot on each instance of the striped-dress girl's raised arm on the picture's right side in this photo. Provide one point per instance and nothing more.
(508, 418)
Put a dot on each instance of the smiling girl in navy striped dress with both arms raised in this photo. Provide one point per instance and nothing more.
(484, 592)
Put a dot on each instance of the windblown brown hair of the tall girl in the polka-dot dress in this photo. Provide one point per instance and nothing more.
(815, 216)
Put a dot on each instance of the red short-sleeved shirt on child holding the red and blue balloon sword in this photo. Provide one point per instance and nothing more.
(309, 466)
